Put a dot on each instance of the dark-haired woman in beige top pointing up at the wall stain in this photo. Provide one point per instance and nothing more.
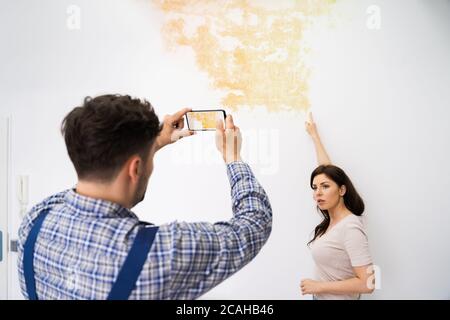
(339, 246)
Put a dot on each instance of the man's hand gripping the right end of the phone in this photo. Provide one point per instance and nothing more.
(229, 140)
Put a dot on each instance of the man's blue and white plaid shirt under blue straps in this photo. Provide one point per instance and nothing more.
(83, 243)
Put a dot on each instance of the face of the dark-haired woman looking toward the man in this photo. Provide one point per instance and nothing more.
(326, 192)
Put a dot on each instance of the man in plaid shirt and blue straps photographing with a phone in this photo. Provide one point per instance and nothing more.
(86, 243)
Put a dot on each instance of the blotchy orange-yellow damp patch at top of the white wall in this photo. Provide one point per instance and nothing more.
(253, 51)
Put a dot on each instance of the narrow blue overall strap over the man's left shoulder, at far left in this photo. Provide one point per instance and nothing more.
(28, 256)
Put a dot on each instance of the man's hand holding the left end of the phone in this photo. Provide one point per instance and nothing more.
(172, 129)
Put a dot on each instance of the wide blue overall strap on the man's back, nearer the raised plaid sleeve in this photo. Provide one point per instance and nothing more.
(134, 262)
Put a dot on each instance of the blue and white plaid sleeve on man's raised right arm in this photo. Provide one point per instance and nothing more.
(205, 254)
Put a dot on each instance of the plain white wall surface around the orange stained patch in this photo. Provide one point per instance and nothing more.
(380, 98)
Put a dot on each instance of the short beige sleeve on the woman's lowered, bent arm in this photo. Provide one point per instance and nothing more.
(356, 244)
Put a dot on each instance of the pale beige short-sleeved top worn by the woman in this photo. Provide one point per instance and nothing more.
(342, 247)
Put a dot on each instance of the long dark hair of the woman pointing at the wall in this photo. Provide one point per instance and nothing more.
(352, 200)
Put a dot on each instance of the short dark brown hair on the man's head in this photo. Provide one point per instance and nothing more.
(103, 133)
